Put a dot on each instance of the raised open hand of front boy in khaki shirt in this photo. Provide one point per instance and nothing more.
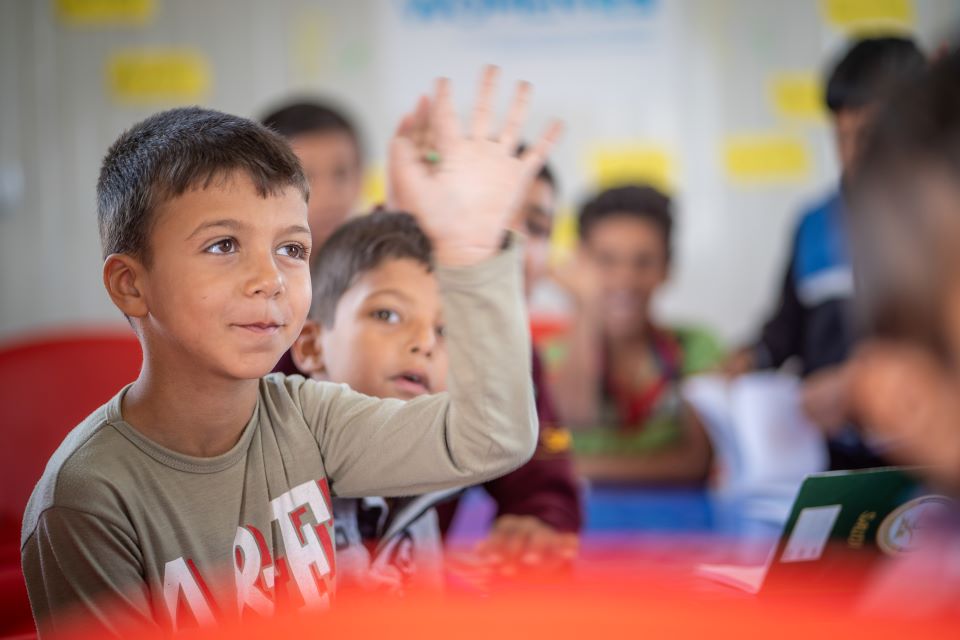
(464, 186)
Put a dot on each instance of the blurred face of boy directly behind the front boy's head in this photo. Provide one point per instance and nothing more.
(331, 162)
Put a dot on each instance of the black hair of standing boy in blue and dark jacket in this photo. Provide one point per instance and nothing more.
(869, 71)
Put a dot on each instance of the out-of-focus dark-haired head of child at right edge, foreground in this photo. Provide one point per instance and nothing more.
(903, 257)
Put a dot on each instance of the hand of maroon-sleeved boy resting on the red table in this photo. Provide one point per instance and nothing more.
(518, 543)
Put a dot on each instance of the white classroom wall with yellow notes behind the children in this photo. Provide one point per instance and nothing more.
(682, 74)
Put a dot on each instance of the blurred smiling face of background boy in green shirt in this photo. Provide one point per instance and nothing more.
(630, 257)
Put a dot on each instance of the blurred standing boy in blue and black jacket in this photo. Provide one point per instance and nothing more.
(812, 322)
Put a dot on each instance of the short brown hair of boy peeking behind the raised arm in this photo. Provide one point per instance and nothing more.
(359, 246)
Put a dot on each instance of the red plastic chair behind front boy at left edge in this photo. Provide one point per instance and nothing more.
(48, 384)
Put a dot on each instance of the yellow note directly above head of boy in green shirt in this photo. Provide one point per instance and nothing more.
(623, 163)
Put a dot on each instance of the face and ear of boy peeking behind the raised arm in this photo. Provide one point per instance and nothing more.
(387, 335)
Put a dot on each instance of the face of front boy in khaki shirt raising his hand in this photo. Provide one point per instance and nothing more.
(228, 286)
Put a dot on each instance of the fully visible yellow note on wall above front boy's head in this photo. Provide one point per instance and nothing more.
(158, 76)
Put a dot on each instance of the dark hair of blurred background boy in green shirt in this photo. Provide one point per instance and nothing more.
(637, 201)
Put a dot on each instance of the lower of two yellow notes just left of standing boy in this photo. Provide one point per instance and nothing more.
(766, 157)
